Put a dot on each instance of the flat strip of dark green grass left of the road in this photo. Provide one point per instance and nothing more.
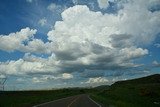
(30, 98)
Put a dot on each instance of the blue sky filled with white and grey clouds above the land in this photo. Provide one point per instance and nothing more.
(47, 44)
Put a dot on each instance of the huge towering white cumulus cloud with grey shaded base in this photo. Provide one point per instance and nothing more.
(92, 42)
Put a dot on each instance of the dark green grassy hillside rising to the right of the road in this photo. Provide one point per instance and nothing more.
(142, 92)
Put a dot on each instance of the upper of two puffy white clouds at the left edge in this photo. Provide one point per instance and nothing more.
(24, 41)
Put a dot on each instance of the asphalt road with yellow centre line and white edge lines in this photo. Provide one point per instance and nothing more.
(74, 101)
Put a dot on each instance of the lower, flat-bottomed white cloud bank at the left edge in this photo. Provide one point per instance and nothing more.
(29, 65)
